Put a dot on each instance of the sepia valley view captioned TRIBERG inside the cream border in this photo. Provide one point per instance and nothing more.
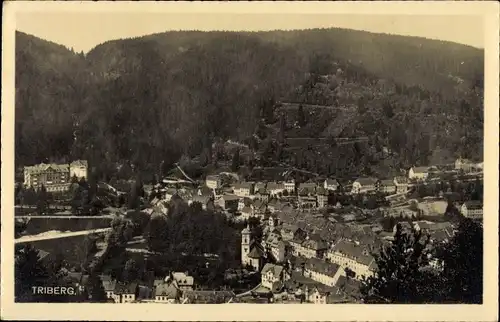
(248, 158)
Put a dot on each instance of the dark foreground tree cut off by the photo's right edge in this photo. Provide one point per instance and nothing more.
(462, 260)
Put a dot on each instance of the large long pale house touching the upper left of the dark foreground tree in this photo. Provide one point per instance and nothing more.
(354, 257)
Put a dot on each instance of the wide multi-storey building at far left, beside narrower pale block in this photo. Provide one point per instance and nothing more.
(54, 177)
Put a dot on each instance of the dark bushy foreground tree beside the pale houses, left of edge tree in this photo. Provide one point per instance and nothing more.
(401, 276)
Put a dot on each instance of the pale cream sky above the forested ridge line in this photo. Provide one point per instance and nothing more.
(82, 31)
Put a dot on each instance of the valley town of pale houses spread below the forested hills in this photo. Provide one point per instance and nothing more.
(298, 242)
